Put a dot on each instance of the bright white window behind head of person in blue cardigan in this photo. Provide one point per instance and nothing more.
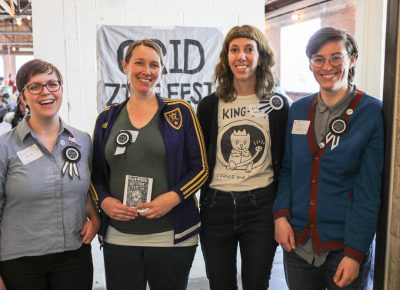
(295, 73)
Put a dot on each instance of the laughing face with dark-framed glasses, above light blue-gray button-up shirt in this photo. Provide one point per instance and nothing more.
(46, 104)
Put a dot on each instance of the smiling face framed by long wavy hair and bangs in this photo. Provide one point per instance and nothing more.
(243, 58)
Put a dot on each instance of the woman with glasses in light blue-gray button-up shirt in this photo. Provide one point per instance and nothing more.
(47, 218)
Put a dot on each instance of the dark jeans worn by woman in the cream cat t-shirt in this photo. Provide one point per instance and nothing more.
(230, 219)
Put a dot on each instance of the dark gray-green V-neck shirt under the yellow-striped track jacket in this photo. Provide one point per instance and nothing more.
(145, 157)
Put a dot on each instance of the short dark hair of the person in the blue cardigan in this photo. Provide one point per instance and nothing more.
(328, 34)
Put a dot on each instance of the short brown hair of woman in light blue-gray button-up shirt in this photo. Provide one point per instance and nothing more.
(32, 68)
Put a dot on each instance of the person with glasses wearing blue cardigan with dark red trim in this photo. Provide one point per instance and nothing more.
(328, 200)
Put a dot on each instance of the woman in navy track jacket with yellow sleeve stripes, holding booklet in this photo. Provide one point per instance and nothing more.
(149, 160)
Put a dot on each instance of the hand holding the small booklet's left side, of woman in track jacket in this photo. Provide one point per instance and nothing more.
(118, 211)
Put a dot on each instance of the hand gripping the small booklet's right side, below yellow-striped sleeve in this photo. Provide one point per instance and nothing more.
(160, 206)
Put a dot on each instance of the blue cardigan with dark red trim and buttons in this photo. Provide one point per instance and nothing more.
(333, 195)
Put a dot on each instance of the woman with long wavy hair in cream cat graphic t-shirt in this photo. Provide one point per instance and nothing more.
(244, 125)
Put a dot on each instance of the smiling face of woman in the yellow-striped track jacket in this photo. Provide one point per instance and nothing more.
(143, 70)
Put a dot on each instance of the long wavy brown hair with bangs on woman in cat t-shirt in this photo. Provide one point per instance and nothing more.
(223, 76)
